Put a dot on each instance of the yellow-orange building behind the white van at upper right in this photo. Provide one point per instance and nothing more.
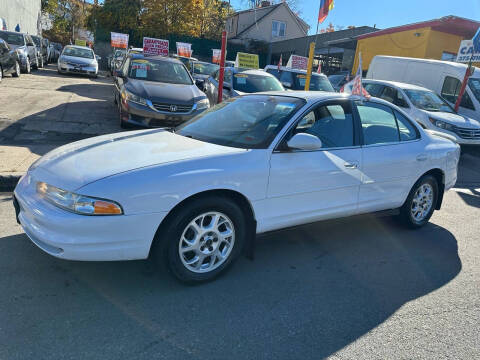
(437, 39)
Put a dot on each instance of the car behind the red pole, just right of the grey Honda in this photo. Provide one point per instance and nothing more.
(238, 81)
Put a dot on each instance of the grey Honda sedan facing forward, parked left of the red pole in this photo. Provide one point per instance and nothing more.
(156, 91)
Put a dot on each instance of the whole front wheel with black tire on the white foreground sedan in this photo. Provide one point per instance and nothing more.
(213, 246)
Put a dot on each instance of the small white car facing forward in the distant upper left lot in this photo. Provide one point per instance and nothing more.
(78, 60)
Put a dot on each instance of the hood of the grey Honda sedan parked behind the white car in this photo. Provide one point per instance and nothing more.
(164, 92)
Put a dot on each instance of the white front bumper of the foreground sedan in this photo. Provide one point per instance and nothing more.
(78, 237)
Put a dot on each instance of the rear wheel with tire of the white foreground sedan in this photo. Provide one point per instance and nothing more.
(420, 203)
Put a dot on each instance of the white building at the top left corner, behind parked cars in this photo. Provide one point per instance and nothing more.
(21, 15)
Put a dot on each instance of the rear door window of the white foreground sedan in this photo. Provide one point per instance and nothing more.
(378, 124)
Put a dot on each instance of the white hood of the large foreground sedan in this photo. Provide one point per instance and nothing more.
(77, 164)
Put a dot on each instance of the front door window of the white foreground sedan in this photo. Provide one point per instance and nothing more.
(331, 123)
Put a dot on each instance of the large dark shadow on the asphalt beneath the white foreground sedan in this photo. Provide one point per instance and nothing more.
(310, 292)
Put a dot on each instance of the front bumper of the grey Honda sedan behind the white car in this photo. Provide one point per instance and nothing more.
(147, 116)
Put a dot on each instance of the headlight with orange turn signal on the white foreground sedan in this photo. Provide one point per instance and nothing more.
(76, 203)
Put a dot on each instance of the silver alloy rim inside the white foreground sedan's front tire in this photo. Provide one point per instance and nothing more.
(206, 242)
